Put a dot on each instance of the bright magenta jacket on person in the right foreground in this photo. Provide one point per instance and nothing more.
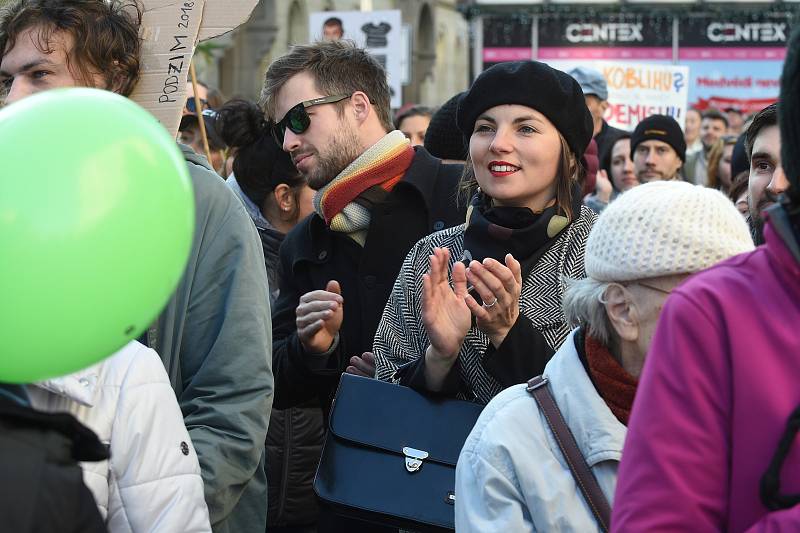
(721, 379)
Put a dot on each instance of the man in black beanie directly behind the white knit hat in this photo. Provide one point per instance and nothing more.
(658, 149)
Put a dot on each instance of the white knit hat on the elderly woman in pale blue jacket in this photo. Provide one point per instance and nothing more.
(664, 228)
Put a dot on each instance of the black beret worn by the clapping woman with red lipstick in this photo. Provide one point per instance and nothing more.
(551, 92)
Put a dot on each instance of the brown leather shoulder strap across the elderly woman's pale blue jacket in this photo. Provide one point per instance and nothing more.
(538, 387)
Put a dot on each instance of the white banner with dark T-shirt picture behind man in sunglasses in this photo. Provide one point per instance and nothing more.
(379, 32)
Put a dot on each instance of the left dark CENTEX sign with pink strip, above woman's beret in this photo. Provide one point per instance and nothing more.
(641, 38)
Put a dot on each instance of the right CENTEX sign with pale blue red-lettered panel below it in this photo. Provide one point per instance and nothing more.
(735, 62)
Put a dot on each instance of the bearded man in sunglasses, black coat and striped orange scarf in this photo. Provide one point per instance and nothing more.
(376, 197)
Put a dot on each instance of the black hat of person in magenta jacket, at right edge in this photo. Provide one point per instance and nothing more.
(789, 116)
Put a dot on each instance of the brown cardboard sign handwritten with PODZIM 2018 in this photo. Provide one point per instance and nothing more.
(170, 32)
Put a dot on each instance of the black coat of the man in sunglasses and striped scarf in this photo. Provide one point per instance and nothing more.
(424, 201)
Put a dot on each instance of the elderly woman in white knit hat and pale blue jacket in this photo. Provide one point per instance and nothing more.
(513, 474)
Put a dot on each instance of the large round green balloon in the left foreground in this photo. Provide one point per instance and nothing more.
(96, 224)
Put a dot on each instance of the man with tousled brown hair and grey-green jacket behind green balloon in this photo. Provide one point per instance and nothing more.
(214, 333)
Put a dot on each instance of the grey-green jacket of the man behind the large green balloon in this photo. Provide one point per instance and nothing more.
(214, 339)
